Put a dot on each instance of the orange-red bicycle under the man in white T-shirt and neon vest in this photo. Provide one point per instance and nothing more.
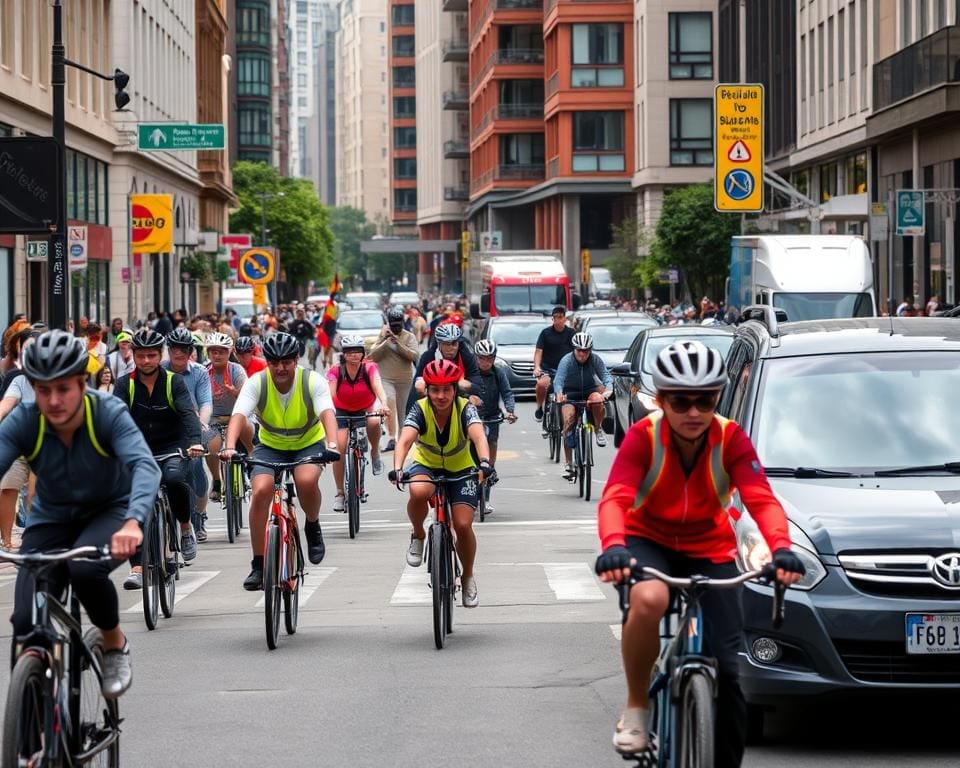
(282, 551)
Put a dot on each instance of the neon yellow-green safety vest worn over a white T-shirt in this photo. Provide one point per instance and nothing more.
(292, 428)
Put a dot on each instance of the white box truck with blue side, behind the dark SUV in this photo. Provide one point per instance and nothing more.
(810, 277)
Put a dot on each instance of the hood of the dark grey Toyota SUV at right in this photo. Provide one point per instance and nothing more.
(846, 514)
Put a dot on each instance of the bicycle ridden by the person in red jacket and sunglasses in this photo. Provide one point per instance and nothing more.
(683, 684)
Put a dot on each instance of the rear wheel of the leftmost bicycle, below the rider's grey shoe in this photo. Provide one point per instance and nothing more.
(99, 726)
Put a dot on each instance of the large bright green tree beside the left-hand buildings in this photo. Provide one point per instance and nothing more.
(297, 222)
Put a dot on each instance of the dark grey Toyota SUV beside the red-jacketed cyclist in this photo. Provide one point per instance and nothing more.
(855, 421)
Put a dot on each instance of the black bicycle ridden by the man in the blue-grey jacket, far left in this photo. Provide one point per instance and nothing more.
(55, 713)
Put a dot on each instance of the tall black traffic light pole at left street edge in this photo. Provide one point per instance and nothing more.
(57, 264)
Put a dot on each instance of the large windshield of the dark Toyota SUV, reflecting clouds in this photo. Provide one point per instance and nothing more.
(859, 413)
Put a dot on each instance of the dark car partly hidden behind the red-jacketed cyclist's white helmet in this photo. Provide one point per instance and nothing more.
(633, 390)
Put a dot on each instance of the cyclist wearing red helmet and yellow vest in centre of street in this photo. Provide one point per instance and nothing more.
(440, 428)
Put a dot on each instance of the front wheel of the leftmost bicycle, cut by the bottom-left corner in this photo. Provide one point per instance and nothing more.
(23, 740)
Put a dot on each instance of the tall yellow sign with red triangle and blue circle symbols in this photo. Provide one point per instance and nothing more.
(738, 147)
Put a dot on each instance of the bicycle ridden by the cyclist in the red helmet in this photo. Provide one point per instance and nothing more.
(443, 565)
